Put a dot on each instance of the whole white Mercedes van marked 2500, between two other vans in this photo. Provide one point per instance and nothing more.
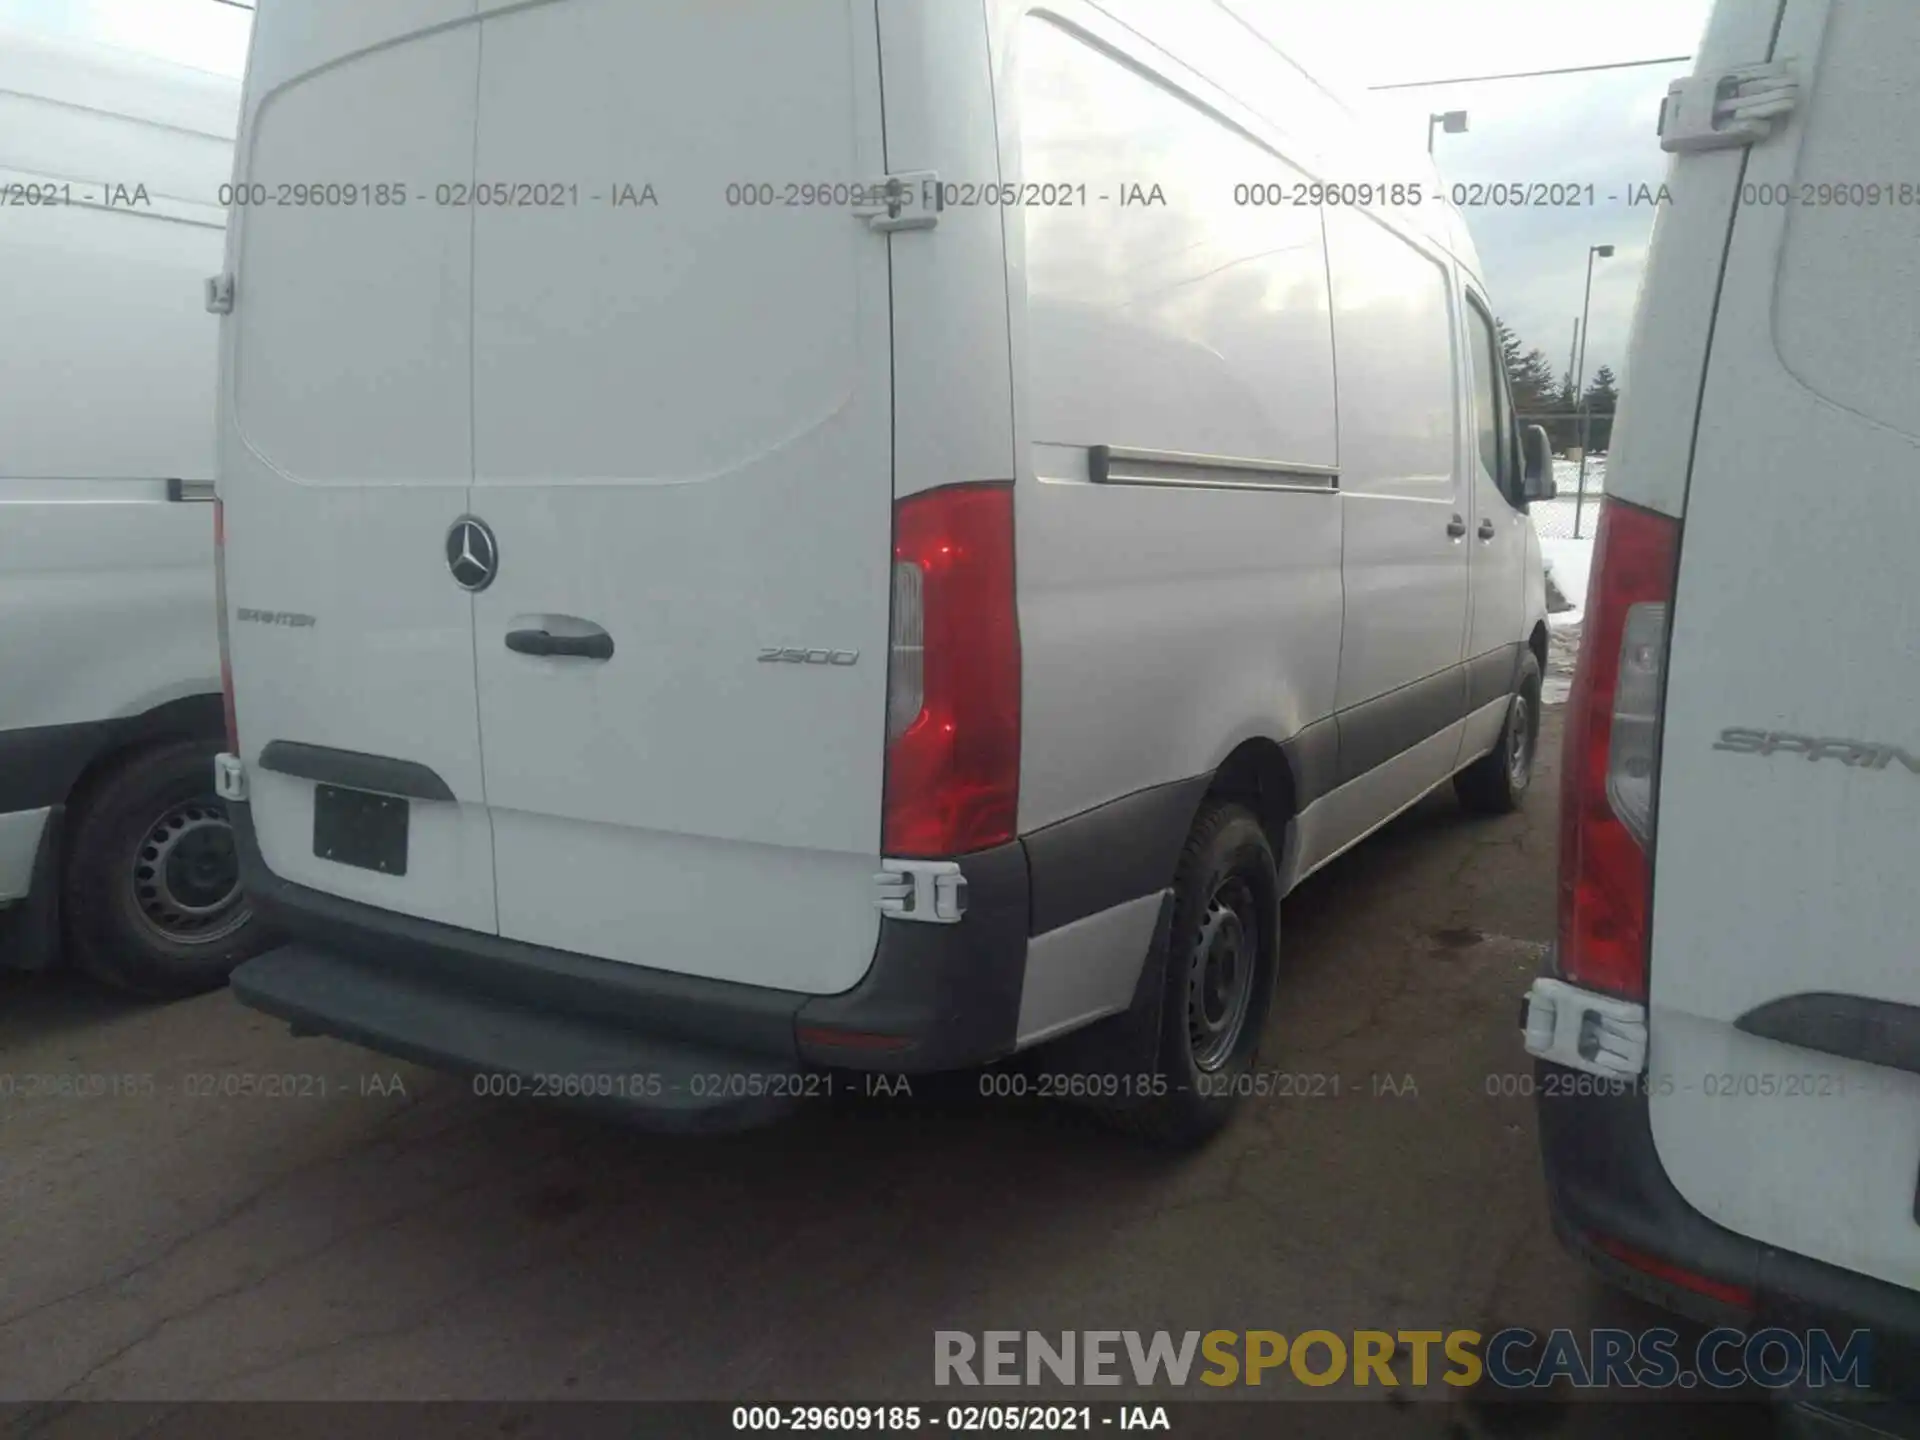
(769, 539)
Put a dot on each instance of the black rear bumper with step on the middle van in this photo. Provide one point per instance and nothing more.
(936, 997)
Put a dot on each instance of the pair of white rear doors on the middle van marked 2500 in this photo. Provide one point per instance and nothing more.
(554, 372)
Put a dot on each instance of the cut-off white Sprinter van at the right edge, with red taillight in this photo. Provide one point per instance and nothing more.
(1729, 1034)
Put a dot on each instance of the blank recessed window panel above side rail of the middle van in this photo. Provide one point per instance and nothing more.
(1161, 235)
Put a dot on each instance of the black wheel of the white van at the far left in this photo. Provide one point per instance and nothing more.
(151, 890)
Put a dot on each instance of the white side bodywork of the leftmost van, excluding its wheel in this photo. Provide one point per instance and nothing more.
(107, 383)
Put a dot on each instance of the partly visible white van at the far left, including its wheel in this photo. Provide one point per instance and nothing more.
(112, 838)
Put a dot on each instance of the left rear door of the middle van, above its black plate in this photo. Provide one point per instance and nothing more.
(345, 444)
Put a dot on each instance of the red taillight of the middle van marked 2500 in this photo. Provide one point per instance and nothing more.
(953, 675)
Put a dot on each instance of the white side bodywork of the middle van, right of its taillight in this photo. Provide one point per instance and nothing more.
(1120, 617)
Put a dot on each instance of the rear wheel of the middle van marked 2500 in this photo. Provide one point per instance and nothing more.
(1226, 928)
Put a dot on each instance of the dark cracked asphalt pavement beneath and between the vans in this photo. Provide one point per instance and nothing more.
(377, 1232)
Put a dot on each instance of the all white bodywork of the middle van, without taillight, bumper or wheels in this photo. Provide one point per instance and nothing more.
(688, 425)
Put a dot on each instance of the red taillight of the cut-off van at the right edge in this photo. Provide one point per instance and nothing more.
(1612, 742)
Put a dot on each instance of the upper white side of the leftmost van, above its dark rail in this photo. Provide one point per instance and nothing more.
(114, 360)
